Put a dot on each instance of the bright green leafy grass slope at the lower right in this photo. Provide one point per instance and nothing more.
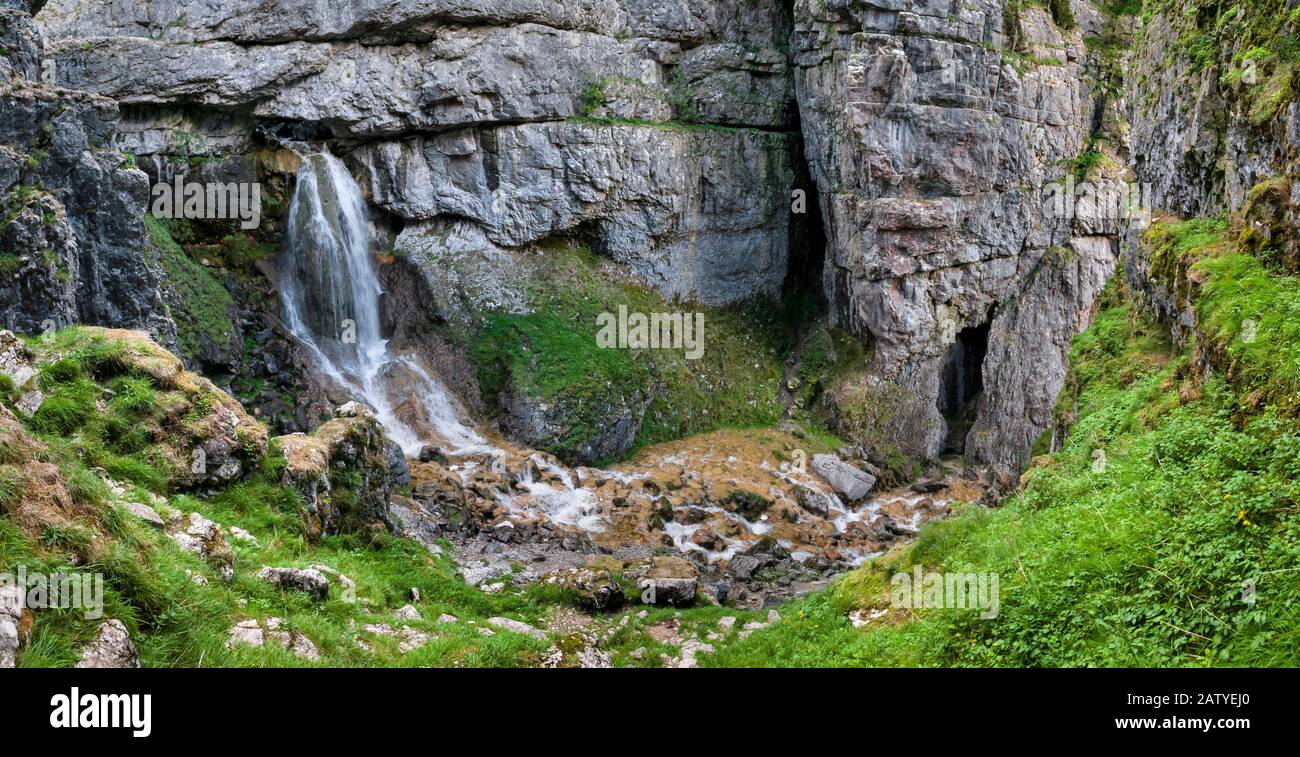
(1143, 564)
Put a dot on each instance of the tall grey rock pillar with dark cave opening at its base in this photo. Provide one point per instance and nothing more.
(930, 133)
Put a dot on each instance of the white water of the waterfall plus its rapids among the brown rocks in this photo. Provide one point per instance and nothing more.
(332, 302)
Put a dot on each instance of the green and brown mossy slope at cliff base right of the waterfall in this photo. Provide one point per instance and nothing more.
(553, 356)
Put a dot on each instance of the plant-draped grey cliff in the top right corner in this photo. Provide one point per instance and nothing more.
(1219, 131)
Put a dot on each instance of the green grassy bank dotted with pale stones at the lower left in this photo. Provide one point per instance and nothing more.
(98, 403)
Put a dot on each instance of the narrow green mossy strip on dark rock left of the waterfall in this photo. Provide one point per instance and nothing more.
(207, 309)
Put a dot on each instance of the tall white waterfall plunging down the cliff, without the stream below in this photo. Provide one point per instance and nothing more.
(332, 304)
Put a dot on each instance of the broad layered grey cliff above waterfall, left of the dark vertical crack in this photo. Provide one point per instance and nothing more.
(528, 120)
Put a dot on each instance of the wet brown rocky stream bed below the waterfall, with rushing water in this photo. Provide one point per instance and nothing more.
(718, 518)
